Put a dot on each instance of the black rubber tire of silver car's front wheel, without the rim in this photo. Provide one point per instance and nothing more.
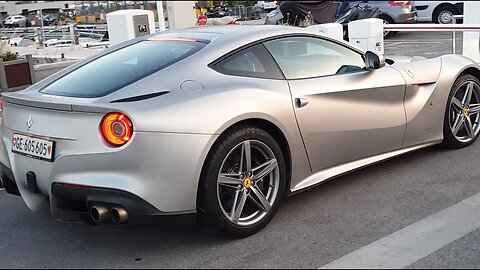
(449, 139)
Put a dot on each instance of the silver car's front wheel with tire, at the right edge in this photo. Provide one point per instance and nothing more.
(462, 115)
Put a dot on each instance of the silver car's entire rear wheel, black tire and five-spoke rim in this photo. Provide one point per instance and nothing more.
(243, 182)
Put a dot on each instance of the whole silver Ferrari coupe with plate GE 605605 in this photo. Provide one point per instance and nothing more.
(223, 121)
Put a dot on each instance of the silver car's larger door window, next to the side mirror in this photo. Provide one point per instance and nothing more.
(308, 57)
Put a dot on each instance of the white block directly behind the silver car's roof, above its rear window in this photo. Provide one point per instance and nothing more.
(181, 14)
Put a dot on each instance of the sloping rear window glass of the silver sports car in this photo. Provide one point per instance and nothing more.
(120, 68)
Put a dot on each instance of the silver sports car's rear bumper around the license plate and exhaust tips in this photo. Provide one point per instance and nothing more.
(156, 174)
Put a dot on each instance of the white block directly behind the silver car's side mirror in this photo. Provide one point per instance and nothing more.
(367, 34)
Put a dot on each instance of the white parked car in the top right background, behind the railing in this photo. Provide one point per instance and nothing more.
(441, 12)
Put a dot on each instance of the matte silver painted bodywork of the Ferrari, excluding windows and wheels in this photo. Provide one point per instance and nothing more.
(345, 122)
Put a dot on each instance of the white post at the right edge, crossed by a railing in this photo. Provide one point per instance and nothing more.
(471, 40)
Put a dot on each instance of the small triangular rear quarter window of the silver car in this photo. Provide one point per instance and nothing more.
(254, 61)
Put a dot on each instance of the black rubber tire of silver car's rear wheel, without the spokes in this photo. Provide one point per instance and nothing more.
(211, 208)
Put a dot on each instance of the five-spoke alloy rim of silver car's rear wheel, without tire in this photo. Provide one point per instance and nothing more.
(248, 183)
